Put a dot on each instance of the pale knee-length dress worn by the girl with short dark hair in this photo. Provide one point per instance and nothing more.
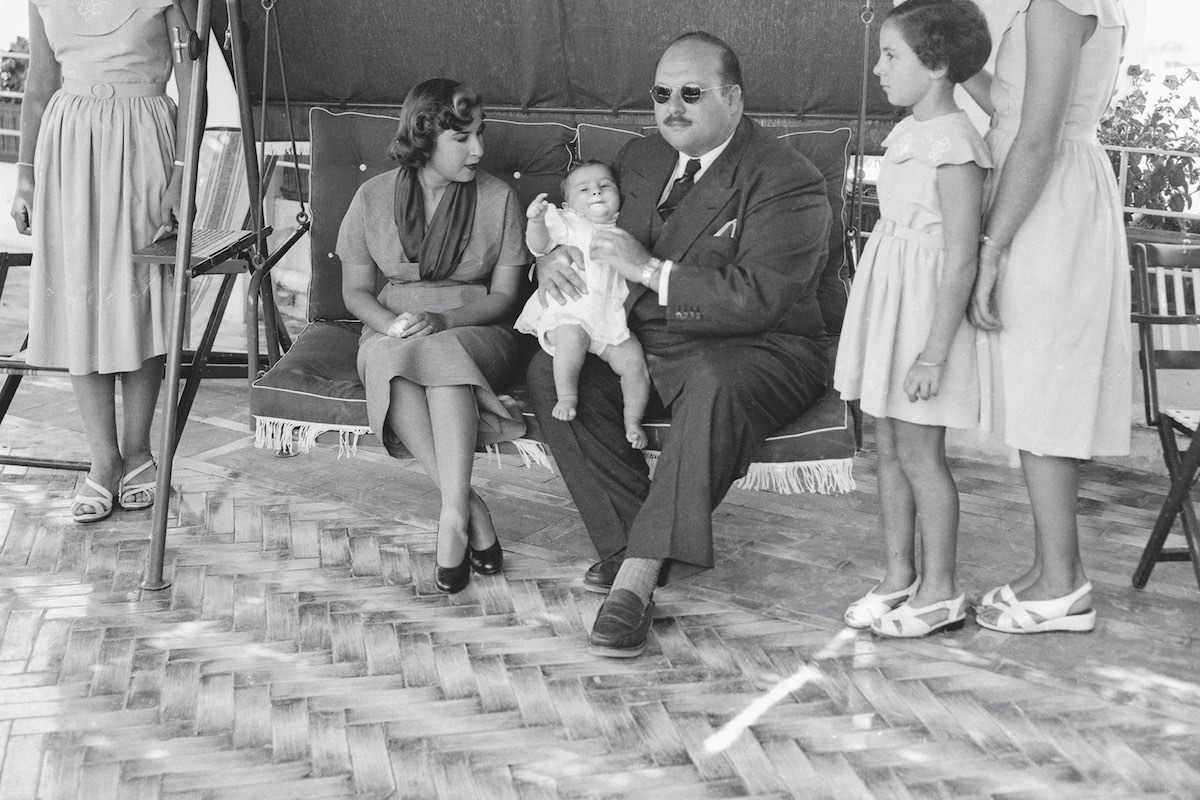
(895, 294)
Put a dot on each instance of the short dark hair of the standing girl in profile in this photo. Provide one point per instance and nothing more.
(951, 34)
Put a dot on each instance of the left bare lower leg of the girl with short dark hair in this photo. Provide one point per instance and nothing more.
(898, 512)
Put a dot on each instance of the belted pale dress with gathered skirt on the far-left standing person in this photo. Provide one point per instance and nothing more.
(103, 166)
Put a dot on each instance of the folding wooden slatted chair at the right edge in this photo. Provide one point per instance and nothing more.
(1168, 317)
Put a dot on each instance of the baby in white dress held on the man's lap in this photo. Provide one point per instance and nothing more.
(596, 322)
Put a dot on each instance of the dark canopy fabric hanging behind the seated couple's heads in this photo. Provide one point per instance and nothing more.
(799, 57)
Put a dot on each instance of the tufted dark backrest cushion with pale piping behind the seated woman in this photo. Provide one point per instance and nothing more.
(349, 148)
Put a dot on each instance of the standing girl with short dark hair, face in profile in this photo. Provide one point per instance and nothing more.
(907, 351)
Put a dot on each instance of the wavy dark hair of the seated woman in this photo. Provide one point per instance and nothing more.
(430, 109)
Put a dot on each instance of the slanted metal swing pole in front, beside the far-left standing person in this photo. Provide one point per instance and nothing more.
(154, 579)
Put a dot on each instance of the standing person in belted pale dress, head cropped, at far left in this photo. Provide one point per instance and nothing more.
(98, 178)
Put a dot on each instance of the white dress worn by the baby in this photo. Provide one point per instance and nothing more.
(601, 312)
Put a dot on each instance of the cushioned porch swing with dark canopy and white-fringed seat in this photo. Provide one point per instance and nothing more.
(537, 128)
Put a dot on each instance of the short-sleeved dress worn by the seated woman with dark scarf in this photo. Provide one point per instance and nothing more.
(483, 357)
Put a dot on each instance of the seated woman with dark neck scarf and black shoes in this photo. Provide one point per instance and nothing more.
(437, 339)
